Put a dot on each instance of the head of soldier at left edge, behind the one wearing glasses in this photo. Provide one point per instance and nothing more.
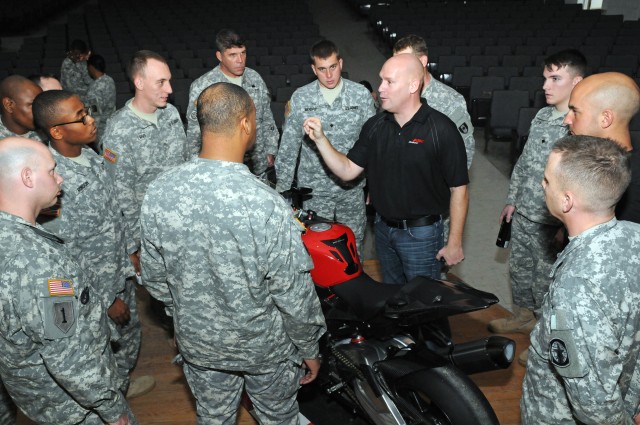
(16, 119)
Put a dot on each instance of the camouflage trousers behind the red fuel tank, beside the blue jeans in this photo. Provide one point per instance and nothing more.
(348, 209)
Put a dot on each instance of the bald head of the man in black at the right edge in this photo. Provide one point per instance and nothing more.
(602, 105)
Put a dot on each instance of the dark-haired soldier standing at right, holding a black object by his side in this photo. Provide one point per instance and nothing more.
(535, 241)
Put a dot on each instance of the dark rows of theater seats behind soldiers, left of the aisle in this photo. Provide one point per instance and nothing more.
(278, 36)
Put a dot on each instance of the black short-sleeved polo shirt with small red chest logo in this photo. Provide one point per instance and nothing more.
(411, 169)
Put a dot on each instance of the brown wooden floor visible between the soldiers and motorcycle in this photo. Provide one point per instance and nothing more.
(171, 402)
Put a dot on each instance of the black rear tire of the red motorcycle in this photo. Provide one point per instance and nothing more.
(443, 396)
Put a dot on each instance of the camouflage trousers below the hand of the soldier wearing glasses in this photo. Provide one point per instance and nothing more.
(127, 347)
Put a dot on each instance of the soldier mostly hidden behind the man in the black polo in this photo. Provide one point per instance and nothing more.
(440, 96)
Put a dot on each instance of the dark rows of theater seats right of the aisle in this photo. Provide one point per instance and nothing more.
(492, 51)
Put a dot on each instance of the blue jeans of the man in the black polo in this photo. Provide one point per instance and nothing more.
(405, 254)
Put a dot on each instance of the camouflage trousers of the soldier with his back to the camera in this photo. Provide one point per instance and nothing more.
(273, 393)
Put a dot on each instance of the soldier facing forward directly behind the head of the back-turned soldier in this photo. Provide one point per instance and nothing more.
(232, 54)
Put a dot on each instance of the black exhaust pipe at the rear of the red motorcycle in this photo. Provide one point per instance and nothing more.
(491, 353)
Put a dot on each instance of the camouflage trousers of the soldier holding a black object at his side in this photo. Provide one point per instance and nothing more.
(532, 255)
